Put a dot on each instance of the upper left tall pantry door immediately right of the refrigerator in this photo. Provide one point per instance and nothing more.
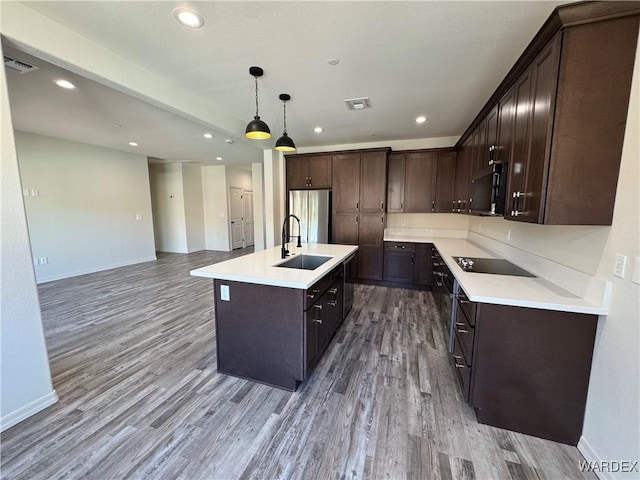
(345, 182)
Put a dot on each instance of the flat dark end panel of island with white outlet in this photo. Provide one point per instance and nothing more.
(261, 340)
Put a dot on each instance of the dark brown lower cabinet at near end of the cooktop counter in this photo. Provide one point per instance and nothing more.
(525, 369)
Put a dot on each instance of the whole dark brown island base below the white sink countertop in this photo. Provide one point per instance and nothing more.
(280, 339)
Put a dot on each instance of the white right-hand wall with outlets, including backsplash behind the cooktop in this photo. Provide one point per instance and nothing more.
(612, 420)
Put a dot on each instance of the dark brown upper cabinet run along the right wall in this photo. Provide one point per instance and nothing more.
(560, 116)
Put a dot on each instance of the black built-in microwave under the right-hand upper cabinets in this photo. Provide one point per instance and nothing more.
(488, 190)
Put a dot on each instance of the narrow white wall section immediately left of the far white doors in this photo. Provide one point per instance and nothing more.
(216, 223)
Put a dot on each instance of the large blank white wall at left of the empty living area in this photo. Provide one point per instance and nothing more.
(84, 216)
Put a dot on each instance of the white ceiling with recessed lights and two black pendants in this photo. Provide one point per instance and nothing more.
(440, 59)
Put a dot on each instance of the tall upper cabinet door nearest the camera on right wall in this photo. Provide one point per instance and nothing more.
(544, 75)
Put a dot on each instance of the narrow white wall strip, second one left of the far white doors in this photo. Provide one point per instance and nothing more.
(193, 206)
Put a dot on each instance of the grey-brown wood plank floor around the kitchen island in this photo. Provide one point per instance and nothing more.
(133, 360)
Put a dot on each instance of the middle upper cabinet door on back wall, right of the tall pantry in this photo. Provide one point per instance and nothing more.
(420, 182)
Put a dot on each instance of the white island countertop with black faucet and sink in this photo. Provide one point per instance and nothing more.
(262, 267)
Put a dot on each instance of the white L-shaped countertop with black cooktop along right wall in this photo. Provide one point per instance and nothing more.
(499, 289)
